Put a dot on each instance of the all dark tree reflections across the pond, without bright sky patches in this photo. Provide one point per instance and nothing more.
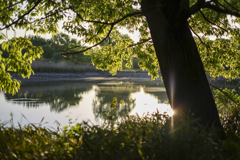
(61, 95)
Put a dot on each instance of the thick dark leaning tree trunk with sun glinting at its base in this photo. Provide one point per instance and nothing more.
(180, 63)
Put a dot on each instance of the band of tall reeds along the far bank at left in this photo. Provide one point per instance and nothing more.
(61, 67)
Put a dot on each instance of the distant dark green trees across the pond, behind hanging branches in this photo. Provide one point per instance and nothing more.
(57, 43)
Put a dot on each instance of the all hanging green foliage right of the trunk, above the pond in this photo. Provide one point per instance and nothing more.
(221, 56)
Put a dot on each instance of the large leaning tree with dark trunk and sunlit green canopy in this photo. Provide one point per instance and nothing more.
(166, 40)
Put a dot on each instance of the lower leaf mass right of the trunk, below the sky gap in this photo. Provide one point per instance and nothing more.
(221, 59)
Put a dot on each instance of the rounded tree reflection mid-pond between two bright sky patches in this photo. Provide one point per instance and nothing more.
(104, 96)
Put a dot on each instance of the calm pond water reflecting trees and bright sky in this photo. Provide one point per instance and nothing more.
(82, 100)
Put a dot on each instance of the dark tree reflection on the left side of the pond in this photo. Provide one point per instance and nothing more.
(58, 95)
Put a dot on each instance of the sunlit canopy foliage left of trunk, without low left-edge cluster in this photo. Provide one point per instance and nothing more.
(46, 15)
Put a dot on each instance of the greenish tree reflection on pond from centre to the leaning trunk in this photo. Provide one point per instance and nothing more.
(106, 91)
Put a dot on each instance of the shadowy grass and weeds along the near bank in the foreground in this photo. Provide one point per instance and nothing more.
(148, 137)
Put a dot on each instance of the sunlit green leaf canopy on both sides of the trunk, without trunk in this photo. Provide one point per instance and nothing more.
(96, 21)
